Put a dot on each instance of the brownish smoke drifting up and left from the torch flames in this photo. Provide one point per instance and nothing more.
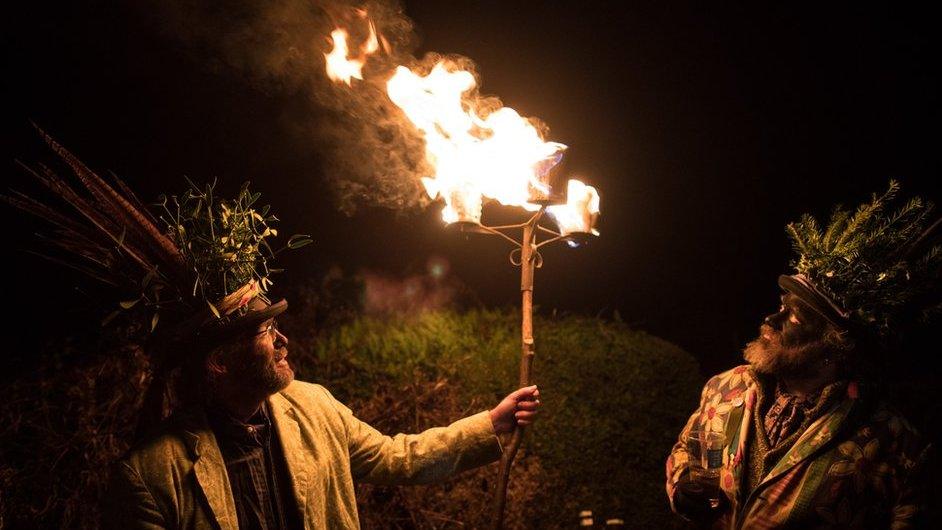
(372, 154)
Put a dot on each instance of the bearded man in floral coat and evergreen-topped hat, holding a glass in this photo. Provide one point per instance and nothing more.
(807, 440)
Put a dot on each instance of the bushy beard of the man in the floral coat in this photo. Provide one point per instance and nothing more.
(769, 355)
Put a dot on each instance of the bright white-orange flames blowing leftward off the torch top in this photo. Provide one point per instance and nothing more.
(476, 154)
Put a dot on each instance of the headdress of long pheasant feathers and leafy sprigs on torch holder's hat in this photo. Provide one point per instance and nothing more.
(196, 270)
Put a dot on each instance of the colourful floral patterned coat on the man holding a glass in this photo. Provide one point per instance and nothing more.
(859, 465)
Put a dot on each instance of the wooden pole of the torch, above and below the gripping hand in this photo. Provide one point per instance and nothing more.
(527, 269)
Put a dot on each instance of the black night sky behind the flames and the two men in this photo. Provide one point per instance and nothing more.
(705, 127)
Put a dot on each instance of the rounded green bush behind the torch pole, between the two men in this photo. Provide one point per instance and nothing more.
(614, 399)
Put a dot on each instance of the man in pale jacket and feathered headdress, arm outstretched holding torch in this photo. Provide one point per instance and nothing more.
(228, 439)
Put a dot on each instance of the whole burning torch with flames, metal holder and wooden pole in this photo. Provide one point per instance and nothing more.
(483, 154)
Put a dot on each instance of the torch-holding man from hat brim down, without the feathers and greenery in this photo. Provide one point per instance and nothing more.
(253, 448)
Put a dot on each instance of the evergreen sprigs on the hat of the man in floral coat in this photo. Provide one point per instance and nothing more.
(862, 260)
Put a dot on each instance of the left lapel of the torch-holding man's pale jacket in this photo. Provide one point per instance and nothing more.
(210, 471)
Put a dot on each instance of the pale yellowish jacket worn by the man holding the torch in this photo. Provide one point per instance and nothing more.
(178, 479)
